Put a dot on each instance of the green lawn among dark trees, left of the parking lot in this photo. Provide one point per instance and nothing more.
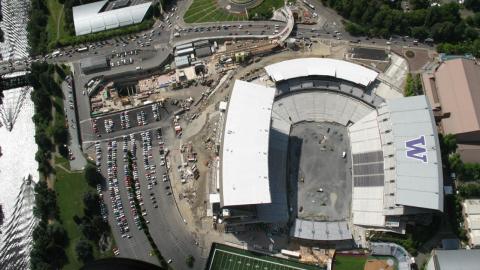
(70, 188)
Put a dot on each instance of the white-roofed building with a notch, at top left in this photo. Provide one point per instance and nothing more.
(88, 18)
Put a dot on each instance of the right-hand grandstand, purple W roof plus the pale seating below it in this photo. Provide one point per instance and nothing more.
(397, 142)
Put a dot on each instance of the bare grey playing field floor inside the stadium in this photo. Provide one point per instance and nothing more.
(315, 150)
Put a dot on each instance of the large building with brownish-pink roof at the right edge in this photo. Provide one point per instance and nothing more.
(454, 92)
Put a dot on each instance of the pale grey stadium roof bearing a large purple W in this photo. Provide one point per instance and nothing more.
(416, 149)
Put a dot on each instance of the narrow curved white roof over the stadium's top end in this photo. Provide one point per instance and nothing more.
(304, 67)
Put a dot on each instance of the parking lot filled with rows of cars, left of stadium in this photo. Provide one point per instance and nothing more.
(145, 180)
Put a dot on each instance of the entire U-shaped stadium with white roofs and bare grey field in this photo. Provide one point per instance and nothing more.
(311, 146)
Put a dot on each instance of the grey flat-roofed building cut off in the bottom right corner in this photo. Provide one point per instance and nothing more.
(461, 259)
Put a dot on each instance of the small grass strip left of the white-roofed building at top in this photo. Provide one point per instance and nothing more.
(56, 21)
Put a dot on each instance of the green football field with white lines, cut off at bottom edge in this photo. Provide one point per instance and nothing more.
(235, 259)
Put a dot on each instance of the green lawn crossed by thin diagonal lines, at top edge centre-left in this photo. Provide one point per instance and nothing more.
(208, 11)
